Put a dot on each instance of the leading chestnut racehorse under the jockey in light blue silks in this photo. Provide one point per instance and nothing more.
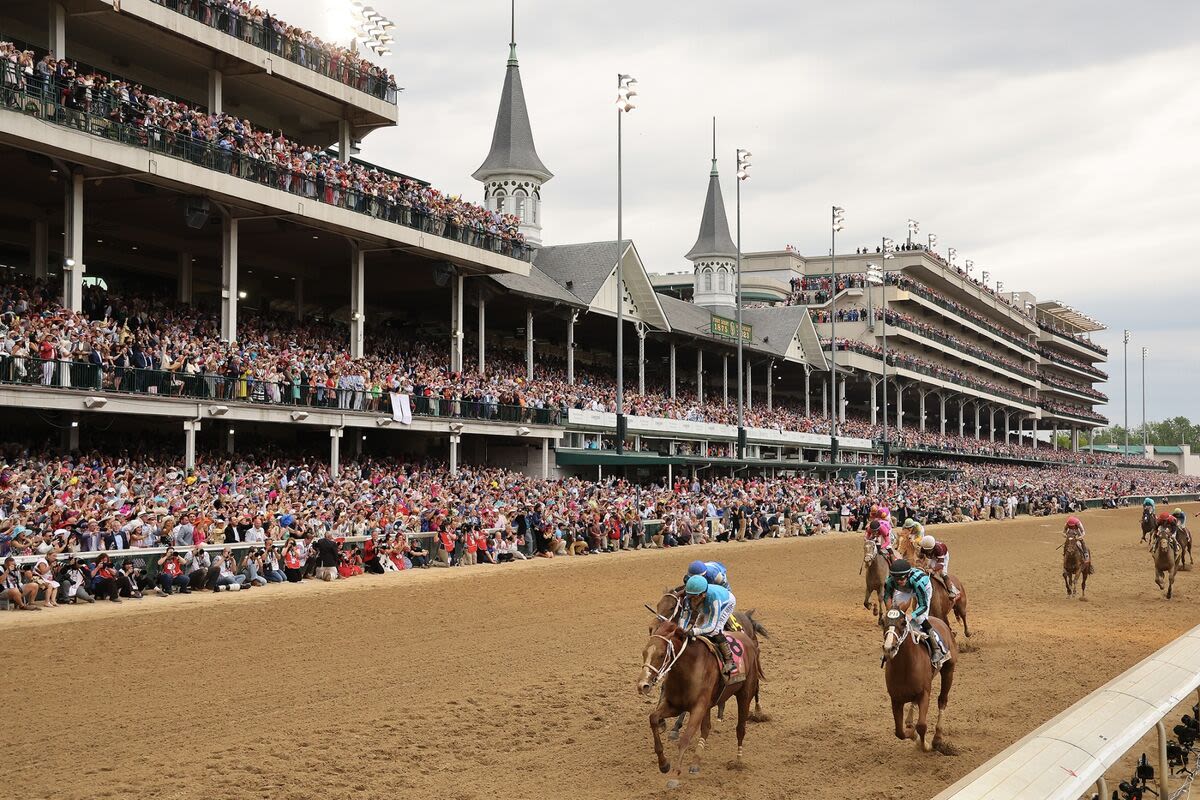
(691, 675)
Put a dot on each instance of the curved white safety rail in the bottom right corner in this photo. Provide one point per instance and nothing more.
(1069, 756)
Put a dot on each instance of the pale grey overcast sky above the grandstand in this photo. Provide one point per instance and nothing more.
(1053, 142)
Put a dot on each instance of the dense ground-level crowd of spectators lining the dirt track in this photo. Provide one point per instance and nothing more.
(239, 524)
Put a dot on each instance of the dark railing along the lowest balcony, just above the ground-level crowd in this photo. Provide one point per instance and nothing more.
(243, 389)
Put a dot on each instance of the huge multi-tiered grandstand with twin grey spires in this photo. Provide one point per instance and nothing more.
(212, 183)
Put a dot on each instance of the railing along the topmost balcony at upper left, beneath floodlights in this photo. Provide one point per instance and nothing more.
(332, 64)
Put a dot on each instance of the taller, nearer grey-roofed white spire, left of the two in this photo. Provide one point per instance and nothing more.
(513, 173)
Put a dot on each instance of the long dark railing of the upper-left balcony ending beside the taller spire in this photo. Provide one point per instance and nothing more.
(97, 122)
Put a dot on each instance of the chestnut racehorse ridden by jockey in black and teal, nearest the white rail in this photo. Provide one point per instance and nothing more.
(909, 676)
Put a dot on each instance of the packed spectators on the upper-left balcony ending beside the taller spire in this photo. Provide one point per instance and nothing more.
(236, 147)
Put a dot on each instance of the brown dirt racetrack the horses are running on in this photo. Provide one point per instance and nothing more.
(518, 682)
